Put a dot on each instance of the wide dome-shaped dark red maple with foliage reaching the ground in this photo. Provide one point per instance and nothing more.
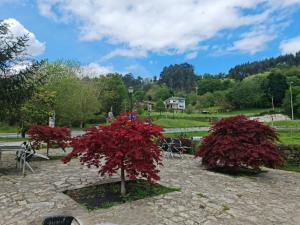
(238, 142)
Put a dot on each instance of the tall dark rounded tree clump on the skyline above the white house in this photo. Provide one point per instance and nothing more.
(178, 77)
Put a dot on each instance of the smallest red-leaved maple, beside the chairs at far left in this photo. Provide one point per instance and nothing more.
(39, 134)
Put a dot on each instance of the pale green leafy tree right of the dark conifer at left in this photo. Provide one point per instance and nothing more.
(76, 99)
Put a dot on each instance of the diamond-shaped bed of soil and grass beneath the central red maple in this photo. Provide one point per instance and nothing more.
(108, 195)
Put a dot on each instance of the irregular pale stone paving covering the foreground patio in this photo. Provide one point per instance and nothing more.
(207, 198)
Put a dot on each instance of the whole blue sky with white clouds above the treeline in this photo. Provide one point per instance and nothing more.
(142, 36)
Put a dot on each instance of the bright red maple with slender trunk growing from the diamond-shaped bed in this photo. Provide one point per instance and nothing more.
(125, 145)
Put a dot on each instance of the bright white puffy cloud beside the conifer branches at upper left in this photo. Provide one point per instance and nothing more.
(34, 46)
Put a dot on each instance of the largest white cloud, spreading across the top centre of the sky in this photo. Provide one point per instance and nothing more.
(168, 26)
